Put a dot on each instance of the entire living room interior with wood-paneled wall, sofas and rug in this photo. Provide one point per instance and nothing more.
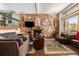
(39, 29)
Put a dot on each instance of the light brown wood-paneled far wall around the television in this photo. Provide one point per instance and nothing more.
(52, 19)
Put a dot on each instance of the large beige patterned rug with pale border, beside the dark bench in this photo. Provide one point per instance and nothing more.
(54, 47)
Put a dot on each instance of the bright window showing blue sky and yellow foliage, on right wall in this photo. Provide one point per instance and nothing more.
(71, 24)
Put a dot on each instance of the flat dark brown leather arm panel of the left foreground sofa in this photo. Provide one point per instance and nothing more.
(9, 48)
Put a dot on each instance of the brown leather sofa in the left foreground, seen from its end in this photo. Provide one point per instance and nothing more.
(13, 46)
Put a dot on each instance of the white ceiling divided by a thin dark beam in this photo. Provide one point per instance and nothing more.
(40, 7)
